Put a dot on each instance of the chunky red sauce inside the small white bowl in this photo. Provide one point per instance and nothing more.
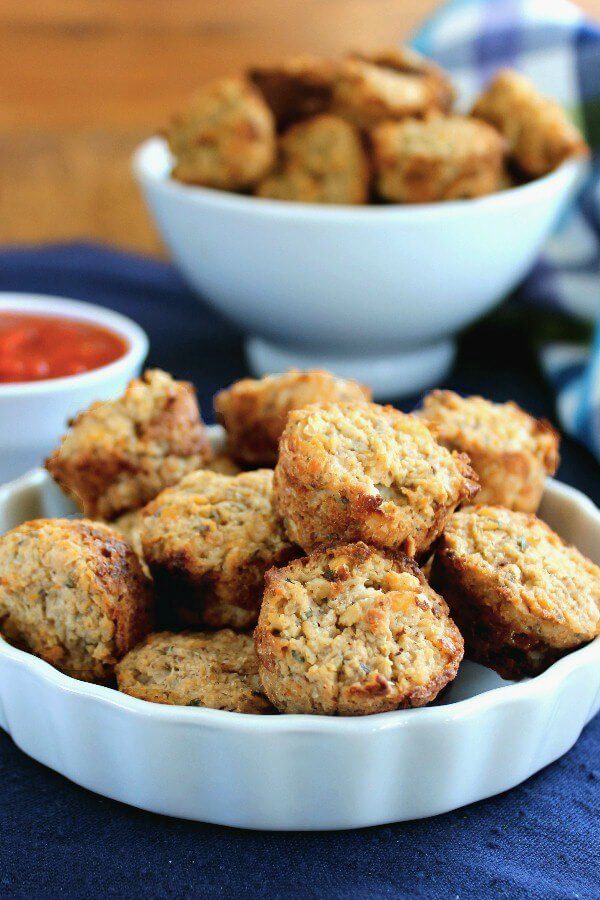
(34, 348)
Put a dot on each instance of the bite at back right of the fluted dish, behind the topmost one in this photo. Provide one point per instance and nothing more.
(511, 451)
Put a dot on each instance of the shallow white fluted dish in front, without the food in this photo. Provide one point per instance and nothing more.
(301, 772)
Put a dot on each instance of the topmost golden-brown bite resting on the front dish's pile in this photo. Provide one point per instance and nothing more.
(350, 472)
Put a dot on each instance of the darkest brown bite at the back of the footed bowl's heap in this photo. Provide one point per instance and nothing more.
(296, 88)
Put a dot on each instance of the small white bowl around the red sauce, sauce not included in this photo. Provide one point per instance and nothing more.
(34, 414)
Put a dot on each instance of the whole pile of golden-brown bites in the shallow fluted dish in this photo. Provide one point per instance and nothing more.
(338, 557)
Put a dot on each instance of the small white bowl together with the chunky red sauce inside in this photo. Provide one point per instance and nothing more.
(56, 357)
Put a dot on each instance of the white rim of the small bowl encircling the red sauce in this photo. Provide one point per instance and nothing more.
(45, 304)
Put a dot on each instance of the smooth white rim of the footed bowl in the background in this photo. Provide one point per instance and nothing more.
(150, 164)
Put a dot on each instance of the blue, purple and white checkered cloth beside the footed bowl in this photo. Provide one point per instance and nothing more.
(555, 45)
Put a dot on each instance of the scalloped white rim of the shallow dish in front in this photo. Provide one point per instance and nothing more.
(504, 695)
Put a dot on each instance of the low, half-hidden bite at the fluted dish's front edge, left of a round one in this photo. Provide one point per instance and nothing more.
(216, 669)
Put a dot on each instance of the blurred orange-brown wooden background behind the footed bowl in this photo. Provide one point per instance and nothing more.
(83, 81)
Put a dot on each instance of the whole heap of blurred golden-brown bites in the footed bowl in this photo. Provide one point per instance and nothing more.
(367, 128)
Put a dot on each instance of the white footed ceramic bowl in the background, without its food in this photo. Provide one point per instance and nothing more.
(376, 292)
